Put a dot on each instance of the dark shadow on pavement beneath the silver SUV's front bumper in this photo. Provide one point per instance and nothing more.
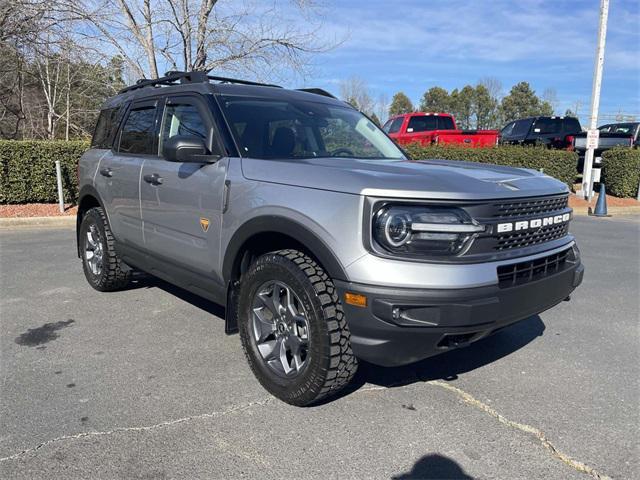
(448, 366)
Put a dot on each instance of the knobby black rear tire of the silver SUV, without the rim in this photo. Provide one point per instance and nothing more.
(115, 273)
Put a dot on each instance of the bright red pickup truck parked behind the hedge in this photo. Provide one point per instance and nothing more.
(435, 128)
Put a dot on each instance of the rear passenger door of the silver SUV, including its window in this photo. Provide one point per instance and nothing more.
(117, 179)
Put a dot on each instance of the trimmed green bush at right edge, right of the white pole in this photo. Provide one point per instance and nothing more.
(621, 171)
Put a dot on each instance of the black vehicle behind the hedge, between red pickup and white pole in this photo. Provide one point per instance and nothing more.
(553, 132)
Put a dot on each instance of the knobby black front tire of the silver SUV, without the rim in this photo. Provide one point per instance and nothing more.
(331, 362)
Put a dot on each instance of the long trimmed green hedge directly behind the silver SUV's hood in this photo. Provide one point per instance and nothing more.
(560, 164)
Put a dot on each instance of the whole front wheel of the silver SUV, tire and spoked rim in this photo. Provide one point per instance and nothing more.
(293, 329)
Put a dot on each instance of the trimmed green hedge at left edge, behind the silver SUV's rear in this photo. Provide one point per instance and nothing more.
(28, 171)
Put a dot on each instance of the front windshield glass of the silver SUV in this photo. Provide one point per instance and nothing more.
(289, 129)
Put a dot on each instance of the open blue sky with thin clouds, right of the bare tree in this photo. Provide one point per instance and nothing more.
(413, 45)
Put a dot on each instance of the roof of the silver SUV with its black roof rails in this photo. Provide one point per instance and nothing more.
(200, 82)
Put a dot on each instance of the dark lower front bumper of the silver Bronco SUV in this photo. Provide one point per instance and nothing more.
(404, 325)
